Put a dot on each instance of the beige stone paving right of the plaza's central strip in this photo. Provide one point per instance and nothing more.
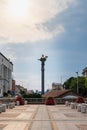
(68, 119)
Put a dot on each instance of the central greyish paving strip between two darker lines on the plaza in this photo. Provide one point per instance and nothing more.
(41, 120)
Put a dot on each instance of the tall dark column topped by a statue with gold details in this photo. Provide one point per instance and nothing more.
(42, 59)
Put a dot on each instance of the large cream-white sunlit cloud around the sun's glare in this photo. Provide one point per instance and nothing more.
(26, 29)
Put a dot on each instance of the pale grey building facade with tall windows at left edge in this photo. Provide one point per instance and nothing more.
(6, 69)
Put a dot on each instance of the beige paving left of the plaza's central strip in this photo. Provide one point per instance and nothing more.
(18, 118)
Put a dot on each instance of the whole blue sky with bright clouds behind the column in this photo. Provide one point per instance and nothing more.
(55, 28)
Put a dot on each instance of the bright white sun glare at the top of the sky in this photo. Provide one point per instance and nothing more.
(18, 9)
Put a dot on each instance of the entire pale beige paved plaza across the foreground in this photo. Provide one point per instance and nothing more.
(43, 117)
